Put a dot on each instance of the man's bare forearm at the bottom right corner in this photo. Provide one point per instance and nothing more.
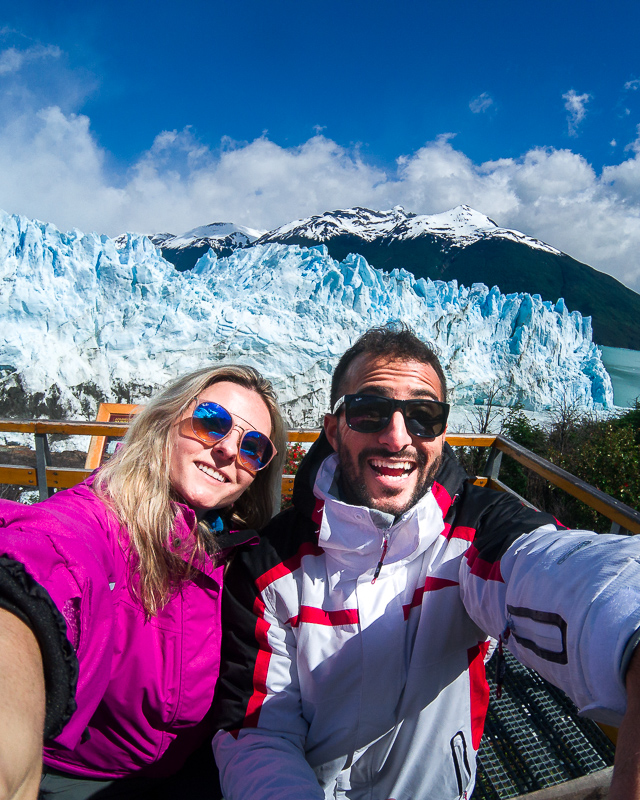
(626, 773)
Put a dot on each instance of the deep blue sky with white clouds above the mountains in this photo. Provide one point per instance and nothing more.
(163, 116)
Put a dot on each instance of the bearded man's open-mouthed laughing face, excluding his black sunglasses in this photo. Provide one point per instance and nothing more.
(389, 470)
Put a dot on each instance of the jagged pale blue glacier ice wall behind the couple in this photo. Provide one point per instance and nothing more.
(85, 318)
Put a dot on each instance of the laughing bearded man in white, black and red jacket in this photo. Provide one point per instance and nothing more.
(353, 664)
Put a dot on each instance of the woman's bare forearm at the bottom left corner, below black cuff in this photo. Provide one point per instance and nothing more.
(22, 707)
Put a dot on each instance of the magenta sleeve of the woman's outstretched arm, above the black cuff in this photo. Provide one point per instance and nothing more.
(54, 575)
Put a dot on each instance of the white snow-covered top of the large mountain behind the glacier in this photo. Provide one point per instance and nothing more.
(457, 228)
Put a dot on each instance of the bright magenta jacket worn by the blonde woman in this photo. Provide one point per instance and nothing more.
(144, 687)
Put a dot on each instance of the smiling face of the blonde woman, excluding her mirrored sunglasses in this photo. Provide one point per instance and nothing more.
(209, 476)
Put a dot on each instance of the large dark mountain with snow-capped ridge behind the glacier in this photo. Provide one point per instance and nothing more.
(465, 245)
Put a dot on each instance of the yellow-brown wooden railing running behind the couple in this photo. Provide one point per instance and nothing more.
(47, 478)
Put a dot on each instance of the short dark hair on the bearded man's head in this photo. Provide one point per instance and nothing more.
(396, 343)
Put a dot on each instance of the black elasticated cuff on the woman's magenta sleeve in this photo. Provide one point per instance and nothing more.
(31, 603)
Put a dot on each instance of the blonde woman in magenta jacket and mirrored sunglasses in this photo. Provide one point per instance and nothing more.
(121, 587)
